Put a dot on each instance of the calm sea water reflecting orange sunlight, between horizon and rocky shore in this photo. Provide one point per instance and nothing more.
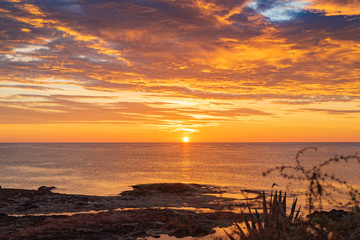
(109, 168)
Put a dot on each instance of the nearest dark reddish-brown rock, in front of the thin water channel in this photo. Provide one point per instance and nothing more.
(129, 224)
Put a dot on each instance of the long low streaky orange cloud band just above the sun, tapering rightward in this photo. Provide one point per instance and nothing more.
(77, 108)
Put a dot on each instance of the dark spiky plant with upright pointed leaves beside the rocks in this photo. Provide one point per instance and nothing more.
(274, 223)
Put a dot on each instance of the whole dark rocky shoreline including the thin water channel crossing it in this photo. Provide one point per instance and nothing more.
(174, 209)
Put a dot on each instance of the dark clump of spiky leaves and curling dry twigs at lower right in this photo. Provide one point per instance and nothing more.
(274, 224)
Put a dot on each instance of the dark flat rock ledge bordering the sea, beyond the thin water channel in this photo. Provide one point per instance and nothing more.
(21, 201)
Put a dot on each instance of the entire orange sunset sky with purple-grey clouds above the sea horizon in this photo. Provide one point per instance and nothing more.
(160, 70)
